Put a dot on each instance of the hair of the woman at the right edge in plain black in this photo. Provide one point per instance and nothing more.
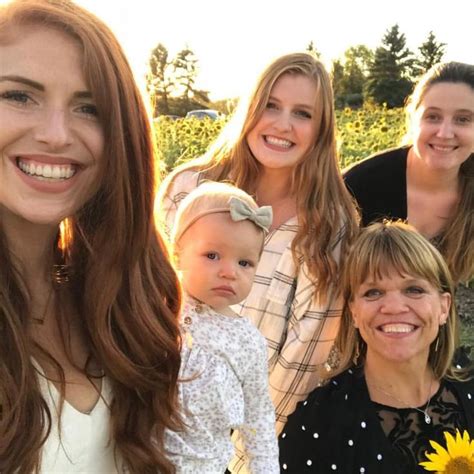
(457, 242)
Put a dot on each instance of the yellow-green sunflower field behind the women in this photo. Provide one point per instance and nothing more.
(361, 132)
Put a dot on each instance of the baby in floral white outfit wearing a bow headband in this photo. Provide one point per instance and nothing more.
(218, 238)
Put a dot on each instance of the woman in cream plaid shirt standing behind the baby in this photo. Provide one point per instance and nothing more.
(280, 147)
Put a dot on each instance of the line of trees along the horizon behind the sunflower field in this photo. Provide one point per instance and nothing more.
(385, 75)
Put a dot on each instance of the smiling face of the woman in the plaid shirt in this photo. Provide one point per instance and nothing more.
(286, 131)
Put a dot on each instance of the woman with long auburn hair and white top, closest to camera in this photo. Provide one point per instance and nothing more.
(89, 352)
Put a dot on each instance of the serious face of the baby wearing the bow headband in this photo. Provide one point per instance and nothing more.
(218, 259)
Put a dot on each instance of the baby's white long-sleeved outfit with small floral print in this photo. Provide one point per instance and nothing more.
(224, 387)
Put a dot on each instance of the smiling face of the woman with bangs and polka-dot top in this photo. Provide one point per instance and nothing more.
(398, 317)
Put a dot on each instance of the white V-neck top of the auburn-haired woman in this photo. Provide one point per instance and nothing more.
(84, 445)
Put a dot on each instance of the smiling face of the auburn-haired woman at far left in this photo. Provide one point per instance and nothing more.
(50, 138)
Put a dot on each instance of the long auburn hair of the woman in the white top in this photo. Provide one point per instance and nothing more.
(122, 285)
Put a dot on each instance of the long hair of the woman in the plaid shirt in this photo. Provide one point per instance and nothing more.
(323, 203)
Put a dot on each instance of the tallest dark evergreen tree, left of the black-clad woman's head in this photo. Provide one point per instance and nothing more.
(389, 73)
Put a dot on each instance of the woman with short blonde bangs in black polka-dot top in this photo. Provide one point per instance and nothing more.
(396, 387)
